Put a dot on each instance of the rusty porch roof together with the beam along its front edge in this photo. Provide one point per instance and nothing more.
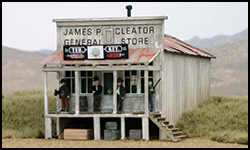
(139, 58)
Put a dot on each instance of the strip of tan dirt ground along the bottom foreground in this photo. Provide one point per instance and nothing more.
(60, 143)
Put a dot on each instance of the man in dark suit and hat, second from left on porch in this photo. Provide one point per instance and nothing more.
(97, 89)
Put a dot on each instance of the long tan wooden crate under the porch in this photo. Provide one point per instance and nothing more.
(78, 134)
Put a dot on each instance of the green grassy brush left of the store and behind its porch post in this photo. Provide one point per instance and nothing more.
(23, 113)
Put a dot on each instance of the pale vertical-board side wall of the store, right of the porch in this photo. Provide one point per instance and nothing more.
(187, 83)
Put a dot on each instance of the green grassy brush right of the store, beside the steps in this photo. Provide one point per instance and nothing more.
(223, 118)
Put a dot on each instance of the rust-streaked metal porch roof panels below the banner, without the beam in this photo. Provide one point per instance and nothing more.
(139, 55)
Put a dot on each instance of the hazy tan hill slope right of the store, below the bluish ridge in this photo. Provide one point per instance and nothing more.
(230, 68)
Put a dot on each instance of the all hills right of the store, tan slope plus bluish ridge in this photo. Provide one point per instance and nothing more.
(230, 68)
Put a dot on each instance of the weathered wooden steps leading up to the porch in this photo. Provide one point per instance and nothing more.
(169, 129)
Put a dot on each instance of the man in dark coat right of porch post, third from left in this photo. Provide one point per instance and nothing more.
(121, 91)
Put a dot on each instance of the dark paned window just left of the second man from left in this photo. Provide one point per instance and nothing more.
(86, 81)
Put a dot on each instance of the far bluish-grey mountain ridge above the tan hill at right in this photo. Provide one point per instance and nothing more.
(219, 39)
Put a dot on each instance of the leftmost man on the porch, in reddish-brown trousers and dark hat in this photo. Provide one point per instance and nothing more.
(64, 95)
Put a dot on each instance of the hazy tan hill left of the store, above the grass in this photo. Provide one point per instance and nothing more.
(22, 70)
